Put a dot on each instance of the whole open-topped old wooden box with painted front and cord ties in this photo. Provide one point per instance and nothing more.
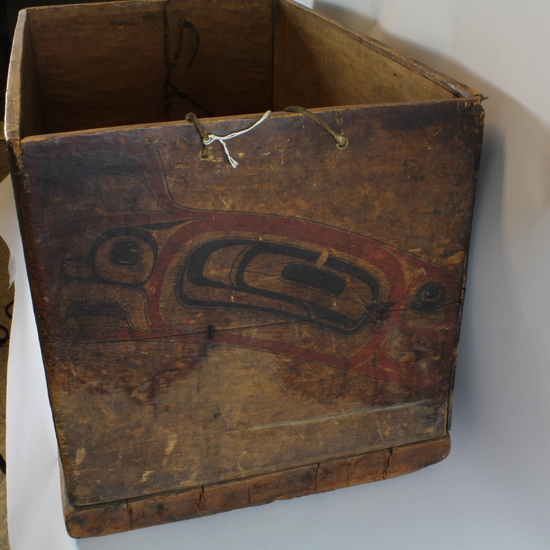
(229, 322)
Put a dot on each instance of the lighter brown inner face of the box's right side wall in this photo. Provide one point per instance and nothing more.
(319, 63)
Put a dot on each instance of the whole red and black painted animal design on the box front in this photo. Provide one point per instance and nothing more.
(146, 268)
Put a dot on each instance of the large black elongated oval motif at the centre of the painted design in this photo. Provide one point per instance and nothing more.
(296, 266)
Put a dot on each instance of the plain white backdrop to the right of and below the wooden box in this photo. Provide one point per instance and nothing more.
(493, 491)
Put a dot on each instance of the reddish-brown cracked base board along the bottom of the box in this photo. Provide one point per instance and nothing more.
(204, 500)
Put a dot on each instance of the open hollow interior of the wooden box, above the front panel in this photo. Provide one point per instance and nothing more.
(102, 65)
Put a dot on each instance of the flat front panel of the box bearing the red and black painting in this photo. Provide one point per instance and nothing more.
(226, 379)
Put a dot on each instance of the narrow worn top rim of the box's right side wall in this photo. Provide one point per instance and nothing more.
(454, 86)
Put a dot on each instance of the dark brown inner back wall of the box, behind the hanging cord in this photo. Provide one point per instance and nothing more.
(104, 64)
